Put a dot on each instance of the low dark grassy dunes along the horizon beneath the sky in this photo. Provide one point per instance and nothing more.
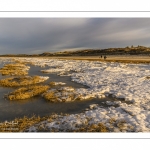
(126, 51)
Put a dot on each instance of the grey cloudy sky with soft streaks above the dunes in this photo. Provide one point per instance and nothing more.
(38, 35)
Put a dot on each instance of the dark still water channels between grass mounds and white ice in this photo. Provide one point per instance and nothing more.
(39, 106)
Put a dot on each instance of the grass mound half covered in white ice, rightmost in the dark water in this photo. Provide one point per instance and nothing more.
(62, 94)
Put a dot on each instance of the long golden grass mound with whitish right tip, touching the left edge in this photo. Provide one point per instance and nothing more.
(21, 81)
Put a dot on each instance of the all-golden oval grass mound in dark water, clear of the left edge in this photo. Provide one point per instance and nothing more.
(27, 92)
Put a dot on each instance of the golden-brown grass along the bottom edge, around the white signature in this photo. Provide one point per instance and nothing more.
(23, 124)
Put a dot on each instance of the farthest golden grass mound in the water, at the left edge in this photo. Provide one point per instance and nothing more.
(14, 69)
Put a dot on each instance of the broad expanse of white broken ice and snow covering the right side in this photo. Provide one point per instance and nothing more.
(128, 81)
